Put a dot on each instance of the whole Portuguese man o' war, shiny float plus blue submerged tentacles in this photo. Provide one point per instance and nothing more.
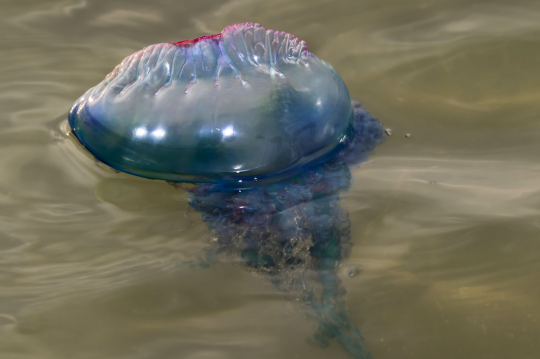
(266, 133)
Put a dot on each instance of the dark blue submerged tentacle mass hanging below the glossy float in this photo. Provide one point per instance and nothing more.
(295, 234)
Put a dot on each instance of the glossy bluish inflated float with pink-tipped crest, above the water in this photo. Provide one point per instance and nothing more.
(245, 105)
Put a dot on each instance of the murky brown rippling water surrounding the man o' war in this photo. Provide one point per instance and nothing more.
(445, 222)
